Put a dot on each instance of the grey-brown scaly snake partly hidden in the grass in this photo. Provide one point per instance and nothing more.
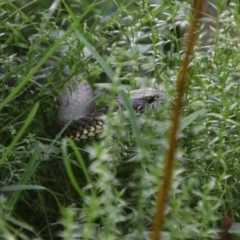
(77, 104)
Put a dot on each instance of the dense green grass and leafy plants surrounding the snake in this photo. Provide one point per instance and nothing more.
(105, 189)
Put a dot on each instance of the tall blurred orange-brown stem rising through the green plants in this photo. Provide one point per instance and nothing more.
(163, 190)
